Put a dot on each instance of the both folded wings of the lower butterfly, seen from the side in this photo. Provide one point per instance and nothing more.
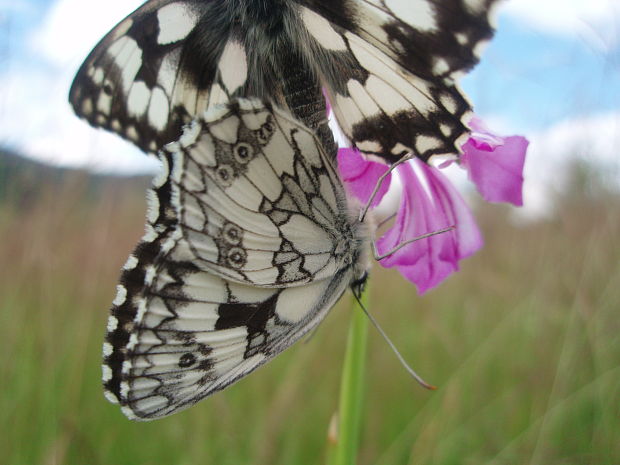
(248, 245)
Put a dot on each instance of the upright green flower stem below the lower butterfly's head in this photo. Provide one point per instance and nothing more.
(349, 418)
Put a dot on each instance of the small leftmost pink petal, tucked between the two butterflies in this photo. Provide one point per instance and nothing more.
(360, 175)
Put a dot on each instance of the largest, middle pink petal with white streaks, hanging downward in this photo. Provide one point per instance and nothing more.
(429, 261)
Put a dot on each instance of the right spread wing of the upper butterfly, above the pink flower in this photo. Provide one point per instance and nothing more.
(398, 91)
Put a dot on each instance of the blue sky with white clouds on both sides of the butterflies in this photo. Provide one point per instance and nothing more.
(551, 73)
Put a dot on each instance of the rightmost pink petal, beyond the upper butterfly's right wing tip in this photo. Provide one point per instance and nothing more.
(495, 164)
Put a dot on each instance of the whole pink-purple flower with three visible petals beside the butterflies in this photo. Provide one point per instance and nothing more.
(430, 203)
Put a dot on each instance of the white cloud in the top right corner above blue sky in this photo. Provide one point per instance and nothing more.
(597, 21)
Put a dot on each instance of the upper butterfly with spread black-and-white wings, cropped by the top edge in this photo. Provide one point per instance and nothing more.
(388, 67)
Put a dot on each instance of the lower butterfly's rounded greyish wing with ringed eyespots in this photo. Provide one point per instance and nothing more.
(258, 200)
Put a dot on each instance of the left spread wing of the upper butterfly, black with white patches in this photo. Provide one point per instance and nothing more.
(155, 71)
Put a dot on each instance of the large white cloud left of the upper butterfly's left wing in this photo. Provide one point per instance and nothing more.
(37, 119)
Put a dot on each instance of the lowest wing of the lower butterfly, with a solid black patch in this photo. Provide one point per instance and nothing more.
(193, 333)
